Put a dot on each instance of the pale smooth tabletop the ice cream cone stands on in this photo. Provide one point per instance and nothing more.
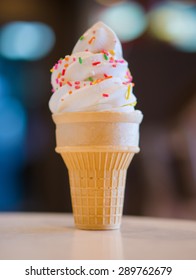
(53, 236)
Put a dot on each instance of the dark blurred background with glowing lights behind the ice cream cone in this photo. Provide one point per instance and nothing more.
(159, 42)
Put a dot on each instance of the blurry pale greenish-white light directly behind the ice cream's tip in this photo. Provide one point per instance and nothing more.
(127, 19)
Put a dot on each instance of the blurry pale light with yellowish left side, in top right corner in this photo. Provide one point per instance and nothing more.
(175, 23)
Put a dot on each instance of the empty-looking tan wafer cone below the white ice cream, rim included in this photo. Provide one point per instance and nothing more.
(97, 149)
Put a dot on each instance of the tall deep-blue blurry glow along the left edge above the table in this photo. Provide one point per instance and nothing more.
(13, 127)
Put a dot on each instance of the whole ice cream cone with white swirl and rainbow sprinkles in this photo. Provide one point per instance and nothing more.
(97, 127)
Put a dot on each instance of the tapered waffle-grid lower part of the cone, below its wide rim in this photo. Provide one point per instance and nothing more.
(97, 181)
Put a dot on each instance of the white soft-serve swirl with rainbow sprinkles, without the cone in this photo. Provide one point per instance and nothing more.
(94, 77)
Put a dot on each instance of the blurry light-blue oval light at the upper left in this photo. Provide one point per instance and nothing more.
(26, 40)
